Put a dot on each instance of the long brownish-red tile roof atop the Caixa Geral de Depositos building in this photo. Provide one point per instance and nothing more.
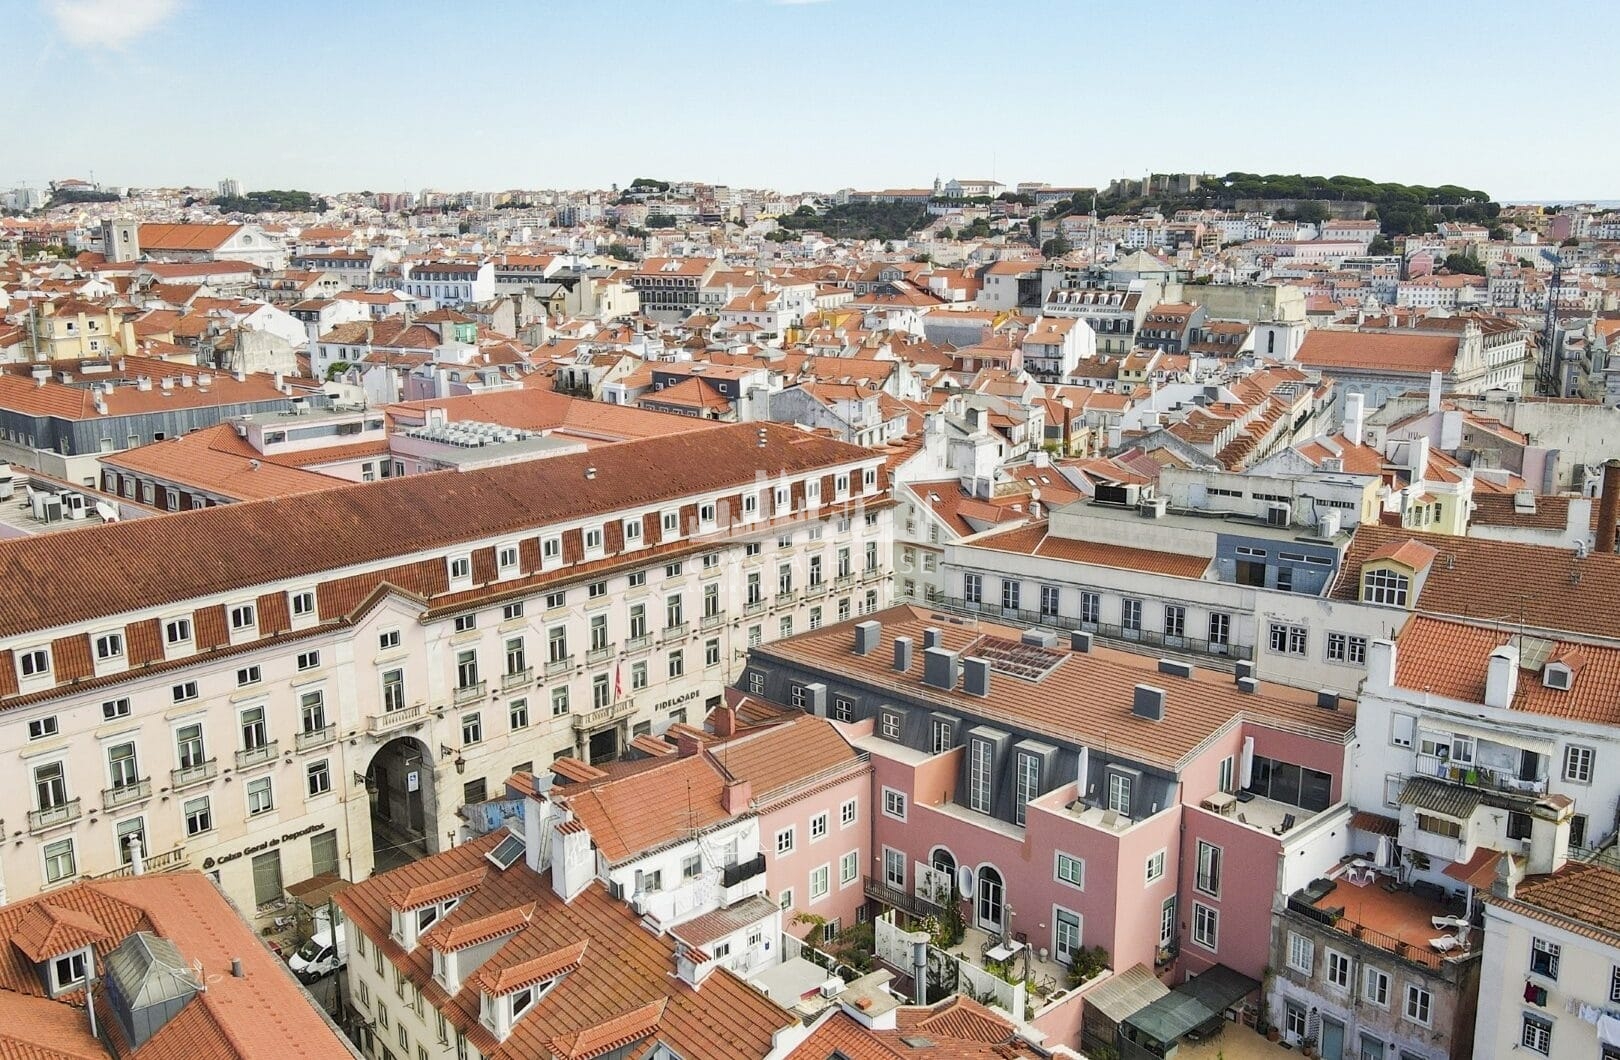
(61, 578)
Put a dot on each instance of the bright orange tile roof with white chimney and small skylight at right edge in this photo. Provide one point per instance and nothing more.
(1451, 659)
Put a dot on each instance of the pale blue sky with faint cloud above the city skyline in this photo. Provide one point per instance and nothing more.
(806, 95)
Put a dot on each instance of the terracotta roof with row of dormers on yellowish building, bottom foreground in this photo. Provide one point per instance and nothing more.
(623, 970)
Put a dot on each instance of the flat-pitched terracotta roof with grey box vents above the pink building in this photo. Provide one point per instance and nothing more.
(1085, 696)
